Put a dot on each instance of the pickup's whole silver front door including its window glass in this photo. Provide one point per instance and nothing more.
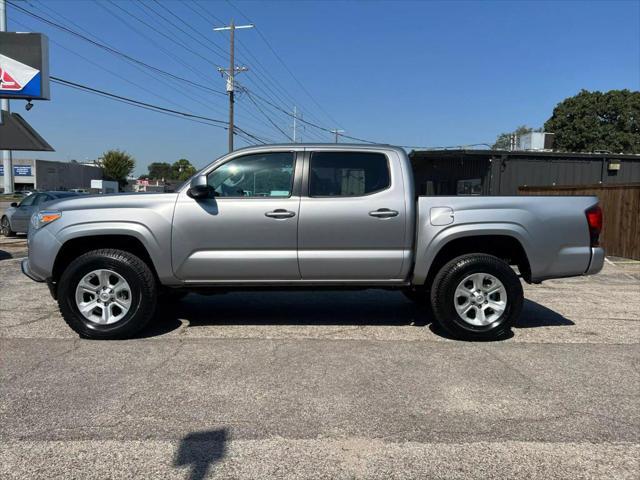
(249, 237)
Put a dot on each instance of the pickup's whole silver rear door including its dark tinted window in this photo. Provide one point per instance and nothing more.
(351, 234)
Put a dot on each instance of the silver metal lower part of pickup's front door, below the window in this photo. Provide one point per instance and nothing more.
(233, 239)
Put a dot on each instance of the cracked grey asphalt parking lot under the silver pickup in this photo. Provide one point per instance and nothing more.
(323, 385)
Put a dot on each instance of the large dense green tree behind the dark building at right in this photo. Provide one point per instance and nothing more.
(593, 121)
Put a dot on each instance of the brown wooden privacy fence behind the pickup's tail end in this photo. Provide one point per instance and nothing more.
(621, 208)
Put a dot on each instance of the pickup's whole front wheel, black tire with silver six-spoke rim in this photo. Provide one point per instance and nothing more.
(107, 294)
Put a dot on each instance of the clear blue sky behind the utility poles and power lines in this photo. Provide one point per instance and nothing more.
(418, 73)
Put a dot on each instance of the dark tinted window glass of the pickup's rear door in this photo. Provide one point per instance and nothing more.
(347, 174)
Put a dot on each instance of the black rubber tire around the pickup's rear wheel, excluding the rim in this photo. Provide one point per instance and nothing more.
(443, 296)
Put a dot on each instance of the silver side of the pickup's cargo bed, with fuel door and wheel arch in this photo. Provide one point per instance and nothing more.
(552, 230)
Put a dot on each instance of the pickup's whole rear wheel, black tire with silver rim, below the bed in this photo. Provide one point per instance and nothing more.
(476, 296)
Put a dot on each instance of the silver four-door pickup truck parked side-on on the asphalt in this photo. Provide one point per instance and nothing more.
(300, 216)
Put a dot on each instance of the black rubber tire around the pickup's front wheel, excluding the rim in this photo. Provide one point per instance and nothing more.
(141, 282)
